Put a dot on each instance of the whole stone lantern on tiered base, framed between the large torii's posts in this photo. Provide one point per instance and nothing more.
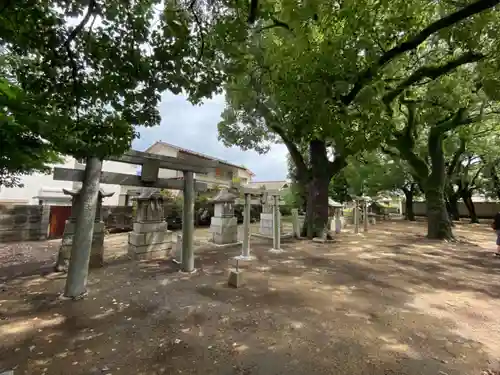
(150, 238)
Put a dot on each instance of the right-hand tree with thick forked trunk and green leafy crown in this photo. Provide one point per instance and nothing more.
(432, 113)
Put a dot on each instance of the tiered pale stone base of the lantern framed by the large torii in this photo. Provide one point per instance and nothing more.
(149, 241)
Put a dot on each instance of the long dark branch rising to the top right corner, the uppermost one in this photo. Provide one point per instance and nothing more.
(367, 75)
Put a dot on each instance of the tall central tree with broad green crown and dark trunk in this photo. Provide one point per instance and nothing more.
(315, 72)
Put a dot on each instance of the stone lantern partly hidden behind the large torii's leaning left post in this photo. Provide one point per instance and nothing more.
(97, 247)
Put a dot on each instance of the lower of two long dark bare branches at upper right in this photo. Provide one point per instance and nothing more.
(431, 72)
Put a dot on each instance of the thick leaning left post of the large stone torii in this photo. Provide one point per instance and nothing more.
(76, 282)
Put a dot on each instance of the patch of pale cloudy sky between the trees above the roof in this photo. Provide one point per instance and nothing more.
(195, 128)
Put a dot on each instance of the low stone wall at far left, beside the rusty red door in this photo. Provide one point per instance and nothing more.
(23, 222)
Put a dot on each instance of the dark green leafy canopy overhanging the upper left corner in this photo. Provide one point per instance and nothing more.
(78, 76)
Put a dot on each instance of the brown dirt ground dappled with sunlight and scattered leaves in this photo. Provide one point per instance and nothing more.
(388, 302)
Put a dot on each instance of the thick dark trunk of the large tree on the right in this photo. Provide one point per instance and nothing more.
(438, 221)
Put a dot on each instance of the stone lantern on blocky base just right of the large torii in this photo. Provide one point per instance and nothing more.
(224, 225)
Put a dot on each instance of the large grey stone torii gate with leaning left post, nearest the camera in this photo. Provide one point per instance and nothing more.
(93, 176)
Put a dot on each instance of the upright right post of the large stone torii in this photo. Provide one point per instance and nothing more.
(188, 223)
